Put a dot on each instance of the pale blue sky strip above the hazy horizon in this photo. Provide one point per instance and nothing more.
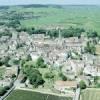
(66, 2)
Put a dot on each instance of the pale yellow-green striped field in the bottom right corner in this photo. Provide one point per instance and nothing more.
(91, 94)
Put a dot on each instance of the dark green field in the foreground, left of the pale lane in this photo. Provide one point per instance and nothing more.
(28, 95)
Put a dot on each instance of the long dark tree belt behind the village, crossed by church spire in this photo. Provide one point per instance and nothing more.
(54, 33)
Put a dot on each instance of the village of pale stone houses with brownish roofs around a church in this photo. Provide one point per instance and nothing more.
(66, 54)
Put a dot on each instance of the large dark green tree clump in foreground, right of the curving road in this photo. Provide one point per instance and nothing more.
(30, 69)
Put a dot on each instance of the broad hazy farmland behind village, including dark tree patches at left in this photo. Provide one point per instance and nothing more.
(87, 17)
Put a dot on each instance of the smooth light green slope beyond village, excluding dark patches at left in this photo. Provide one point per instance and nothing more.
(87, 17)
